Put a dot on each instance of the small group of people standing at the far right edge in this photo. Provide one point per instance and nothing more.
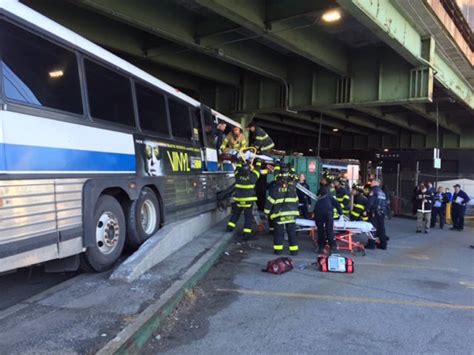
(430, 206)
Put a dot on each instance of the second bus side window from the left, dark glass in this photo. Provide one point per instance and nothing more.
(110, 94)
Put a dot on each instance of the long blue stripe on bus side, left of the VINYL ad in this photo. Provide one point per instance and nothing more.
(32, 158)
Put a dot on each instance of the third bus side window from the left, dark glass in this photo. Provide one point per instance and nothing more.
(152, 110)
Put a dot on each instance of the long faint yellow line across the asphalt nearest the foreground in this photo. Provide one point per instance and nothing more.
(333, 298)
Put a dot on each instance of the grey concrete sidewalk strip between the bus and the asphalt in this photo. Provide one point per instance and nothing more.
(84, 314)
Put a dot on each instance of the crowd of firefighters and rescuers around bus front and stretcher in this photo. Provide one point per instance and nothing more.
(284, 202)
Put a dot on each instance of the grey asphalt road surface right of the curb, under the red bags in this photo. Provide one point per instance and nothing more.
(415, 297)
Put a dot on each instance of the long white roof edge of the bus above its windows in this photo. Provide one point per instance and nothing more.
(19, 10)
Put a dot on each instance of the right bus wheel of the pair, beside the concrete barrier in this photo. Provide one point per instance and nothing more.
(144, 218)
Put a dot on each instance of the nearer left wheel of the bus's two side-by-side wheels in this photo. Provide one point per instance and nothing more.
(110, 232)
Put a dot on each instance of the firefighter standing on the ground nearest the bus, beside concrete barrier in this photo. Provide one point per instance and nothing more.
(244, 196)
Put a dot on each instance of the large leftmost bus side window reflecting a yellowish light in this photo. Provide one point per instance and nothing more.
(37, 72)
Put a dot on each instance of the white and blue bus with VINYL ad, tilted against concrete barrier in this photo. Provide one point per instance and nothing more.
(94, 152)
